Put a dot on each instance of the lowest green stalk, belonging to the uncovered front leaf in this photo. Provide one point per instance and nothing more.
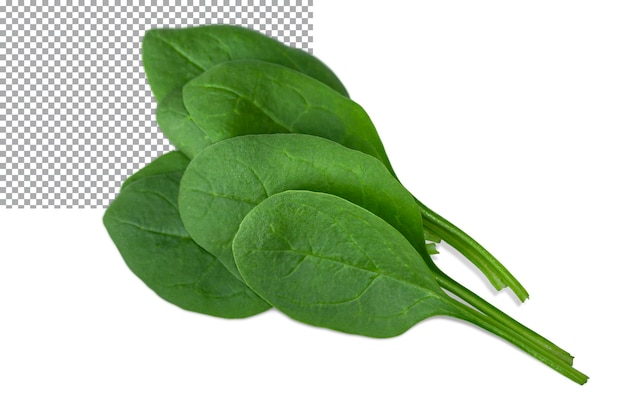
(548, 357)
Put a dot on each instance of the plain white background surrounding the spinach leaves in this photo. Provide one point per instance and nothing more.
(505, 117)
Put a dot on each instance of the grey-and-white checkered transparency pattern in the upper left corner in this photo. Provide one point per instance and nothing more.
(76, 112)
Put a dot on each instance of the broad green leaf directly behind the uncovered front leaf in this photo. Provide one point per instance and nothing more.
(226, 180)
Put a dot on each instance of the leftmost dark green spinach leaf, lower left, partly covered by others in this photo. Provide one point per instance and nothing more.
(145, 225)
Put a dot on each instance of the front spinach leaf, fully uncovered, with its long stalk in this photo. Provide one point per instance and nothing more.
(327, 262)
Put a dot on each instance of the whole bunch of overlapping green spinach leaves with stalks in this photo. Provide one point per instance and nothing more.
(280, 194)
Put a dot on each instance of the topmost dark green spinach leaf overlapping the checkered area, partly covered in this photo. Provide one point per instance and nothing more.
(171, 57)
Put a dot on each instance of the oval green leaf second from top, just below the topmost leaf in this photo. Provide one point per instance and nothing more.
(250, 97)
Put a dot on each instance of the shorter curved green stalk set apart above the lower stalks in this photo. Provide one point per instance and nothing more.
(497, 274)
